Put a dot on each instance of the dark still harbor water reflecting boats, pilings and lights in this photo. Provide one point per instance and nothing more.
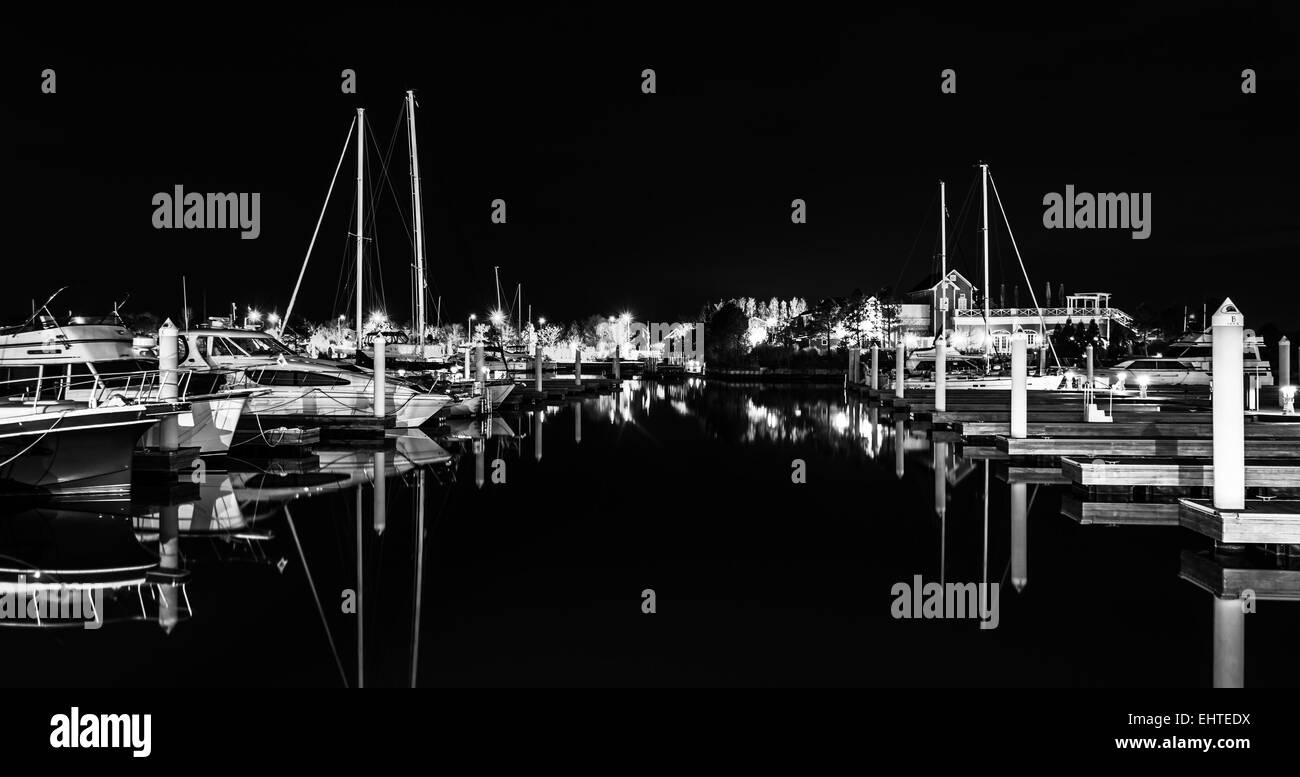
(684, 489)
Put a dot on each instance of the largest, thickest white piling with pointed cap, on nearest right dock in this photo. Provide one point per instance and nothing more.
(1229, 432)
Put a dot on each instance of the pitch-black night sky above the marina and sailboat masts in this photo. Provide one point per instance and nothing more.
(653, 203)
